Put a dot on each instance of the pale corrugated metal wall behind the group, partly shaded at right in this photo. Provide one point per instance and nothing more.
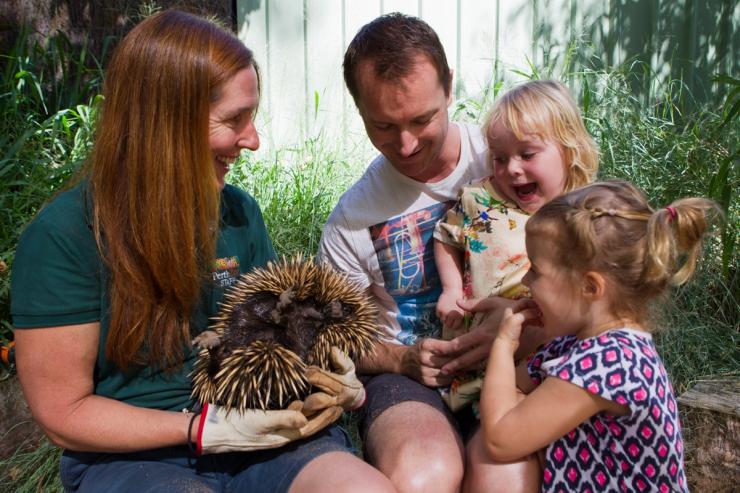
(299, 45)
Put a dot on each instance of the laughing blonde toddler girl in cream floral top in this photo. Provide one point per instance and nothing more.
(539, 148)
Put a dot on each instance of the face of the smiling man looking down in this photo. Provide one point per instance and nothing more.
(407, 120)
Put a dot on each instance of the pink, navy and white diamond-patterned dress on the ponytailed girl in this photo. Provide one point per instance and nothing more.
(641, 451)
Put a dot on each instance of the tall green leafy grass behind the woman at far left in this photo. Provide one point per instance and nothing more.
(48, 101)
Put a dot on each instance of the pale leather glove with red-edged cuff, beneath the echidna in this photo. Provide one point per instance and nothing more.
(220, 431)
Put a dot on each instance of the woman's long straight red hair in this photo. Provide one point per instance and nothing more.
(154, 191)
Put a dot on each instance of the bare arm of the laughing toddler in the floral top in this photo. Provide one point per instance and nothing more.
(449, 265)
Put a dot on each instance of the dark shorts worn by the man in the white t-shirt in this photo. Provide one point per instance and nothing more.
(388, 389)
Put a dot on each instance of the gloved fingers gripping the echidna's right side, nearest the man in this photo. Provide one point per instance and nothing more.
(339, 388)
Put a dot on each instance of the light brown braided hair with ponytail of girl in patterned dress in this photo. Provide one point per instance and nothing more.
(609, 227)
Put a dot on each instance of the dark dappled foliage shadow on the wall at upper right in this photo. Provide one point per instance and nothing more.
(692, 40)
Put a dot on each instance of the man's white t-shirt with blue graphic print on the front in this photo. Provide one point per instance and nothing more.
(380, 234)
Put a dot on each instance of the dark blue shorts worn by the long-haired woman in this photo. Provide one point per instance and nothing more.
(169, 470)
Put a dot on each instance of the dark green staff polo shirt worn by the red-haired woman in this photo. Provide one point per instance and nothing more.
(59, 279)
